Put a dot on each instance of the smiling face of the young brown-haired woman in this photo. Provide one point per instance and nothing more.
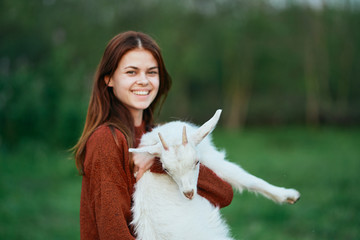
(136, 80)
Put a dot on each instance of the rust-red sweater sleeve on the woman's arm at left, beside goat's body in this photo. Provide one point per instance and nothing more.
(107, 188)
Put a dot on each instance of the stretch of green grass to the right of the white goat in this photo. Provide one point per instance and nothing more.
(323, 165)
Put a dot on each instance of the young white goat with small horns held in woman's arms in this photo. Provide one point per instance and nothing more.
(161, 211)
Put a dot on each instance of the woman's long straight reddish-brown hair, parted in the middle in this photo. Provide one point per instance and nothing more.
(104, 107)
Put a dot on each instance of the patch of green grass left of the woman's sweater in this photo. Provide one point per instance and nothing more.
(39, 194)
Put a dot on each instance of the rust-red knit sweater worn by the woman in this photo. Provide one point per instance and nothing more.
(107, 186)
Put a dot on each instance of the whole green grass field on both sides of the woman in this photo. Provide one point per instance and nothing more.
(40, 189)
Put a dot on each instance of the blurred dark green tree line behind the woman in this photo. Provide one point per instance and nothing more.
(264, 65)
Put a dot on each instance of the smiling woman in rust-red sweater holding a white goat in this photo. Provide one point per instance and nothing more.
(130, 82)
